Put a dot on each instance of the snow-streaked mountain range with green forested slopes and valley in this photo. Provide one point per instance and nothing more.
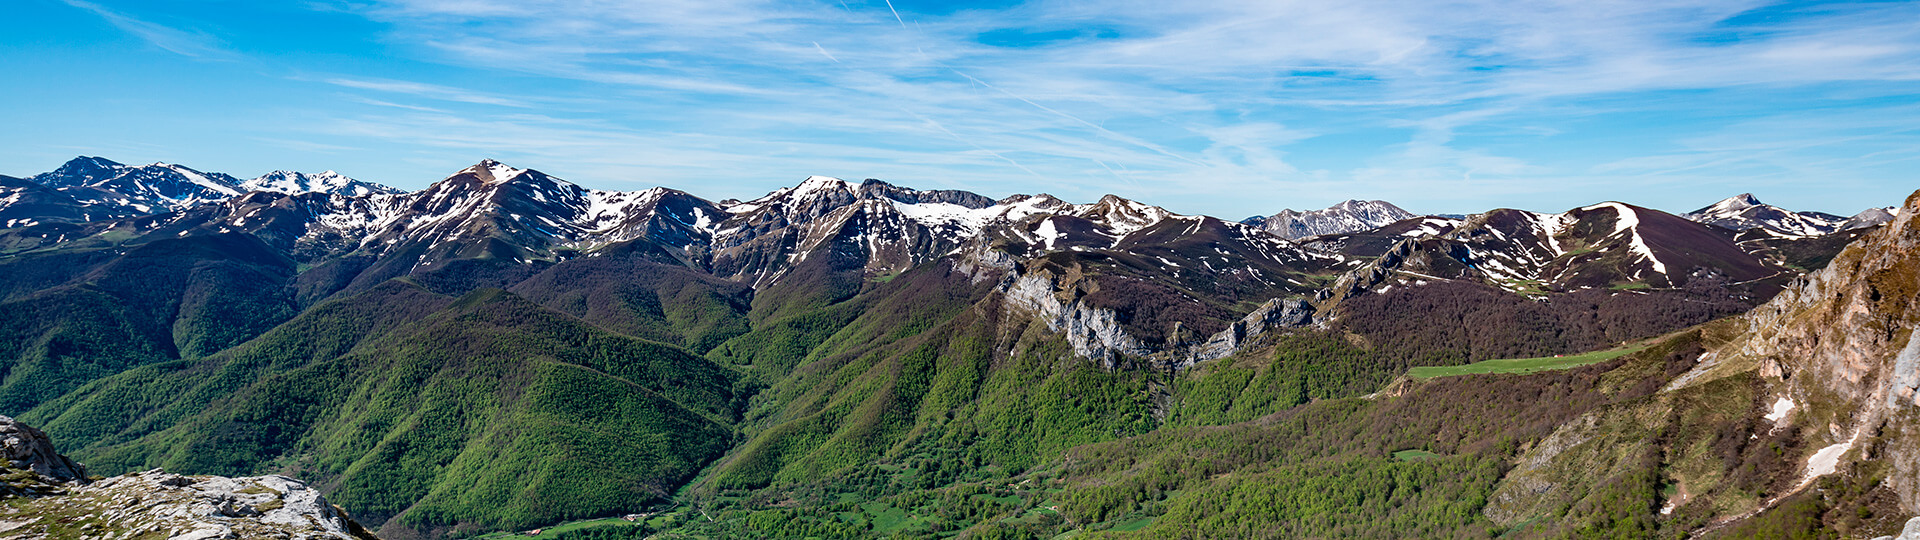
(504, 351)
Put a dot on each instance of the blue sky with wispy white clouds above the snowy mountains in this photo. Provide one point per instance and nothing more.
(1220, 109)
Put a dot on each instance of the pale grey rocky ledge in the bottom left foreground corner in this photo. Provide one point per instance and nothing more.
(49, 497)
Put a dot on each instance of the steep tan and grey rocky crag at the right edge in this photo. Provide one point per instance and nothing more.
(1844, 343)
